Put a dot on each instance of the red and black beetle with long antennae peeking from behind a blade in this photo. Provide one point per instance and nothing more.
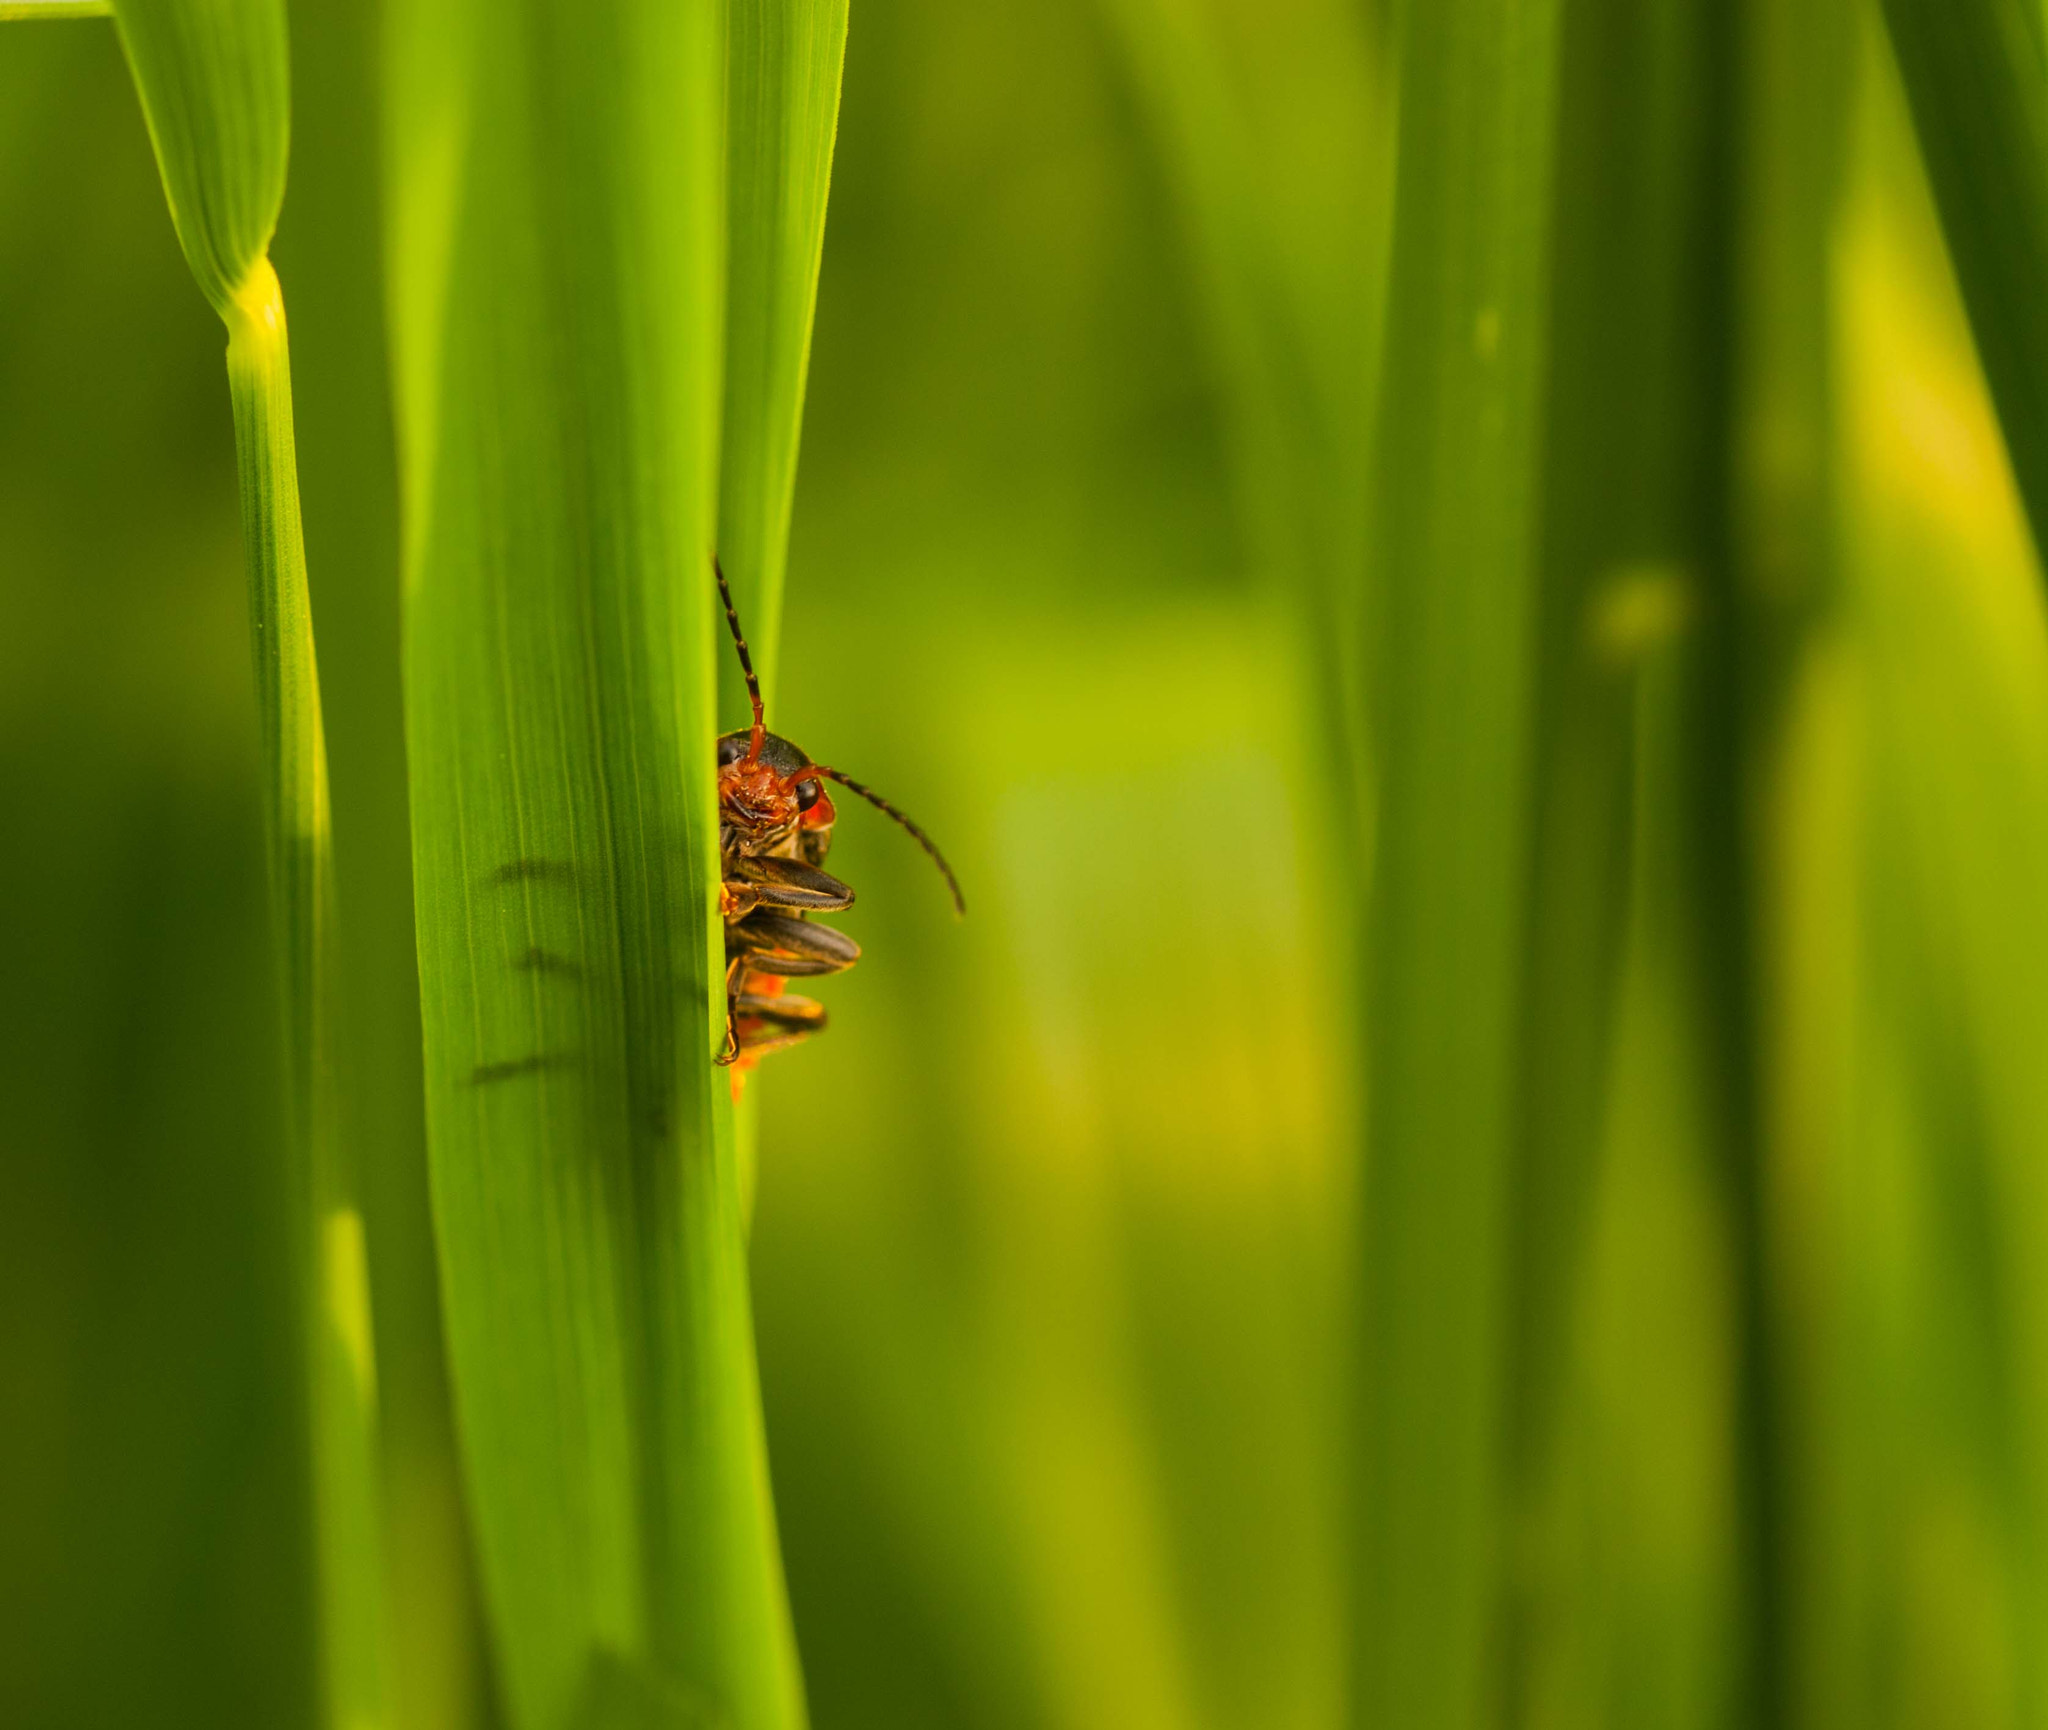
(775, 830)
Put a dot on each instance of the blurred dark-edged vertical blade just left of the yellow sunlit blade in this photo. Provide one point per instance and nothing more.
(1775, 949)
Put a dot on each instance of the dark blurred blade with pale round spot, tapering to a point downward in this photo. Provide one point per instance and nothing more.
(1625, 496)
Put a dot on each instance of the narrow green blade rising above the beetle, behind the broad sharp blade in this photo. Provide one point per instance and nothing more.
(783, 89)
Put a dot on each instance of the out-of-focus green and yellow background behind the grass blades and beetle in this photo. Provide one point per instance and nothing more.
(1052, 1227)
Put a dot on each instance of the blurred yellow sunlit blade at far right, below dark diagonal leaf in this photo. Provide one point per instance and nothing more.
(1953, 984)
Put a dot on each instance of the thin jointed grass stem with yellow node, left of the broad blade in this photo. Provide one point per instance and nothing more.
(214, 87)
